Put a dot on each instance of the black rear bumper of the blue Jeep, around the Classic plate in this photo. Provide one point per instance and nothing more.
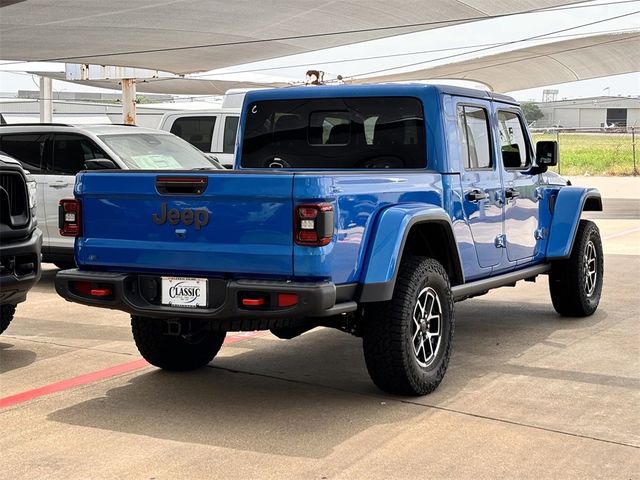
(139, 294)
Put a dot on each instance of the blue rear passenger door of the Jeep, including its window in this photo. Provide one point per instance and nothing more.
(481, 181)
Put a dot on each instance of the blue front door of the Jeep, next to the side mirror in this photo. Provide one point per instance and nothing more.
(520, 194)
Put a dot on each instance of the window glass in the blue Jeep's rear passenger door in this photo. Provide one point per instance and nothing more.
(474, 134)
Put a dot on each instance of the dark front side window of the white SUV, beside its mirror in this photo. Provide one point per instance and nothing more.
(70, 152)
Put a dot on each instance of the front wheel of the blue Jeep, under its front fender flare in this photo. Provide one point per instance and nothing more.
(574, 290)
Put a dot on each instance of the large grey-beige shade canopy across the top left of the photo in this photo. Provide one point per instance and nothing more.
(184, 36)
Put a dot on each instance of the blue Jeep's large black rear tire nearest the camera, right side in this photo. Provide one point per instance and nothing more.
(388, 340)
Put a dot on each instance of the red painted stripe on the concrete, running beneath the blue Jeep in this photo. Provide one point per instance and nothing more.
(99, 375)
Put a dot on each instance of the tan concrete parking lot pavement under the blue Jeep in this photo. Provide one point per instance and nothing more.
(528, 394)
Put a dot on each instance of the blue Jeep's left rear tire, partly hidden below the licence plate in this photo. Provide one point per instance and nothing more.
(174, 352)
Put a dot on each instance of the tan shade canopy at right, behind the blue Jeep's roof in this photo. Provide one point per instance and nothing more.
(558, 62)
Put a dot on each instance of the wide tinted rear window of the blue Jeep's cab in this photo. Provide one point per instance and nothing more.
(374, 132)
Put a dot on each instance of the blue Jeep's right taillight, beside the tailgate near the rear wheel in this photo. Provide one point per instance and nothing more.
(314, 224)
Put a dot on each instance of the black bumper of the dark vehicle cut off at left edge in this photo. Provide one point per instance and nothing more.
(19, 268)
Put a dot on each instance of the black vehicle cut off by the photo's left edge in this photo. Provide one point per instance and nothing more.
(20, 240)
